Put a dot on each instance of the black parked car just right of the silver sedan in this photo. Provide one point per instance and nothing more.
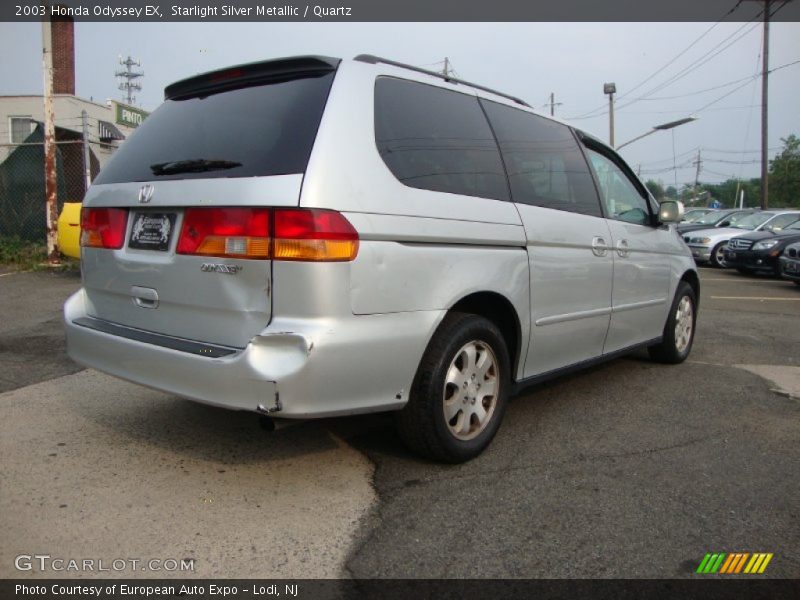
(758, 252)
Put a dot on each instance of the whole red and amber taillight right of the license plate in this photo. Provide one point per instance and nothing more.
(281, 234)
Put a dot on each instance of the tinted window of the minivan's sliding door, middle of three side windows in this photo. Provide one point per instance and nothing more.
(545, 165)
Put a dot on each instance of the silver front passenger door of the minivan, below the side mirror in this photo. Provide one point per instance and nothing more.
(641, 254)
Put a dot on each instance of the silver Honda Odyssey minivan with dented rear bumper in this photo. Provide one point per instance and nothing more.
(310, 237)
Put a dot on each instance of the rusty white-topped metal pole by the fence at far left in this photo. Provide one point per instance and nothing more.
(50, 182)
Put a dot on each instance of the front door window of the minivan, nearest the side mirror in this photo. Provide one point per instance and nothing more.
(621, 198)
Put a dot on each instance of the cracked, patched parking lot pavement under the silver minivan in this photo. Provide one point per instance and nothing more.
(630, 469)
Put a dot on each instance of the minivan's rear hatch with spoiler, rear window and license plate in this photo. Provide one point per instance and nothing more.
(191, 194)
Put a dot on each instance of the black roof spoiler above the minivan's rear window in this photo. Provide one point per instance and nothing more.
(250, 74)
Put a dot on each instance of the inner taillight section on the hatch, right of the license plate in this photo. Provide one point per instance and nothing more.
(230, 232)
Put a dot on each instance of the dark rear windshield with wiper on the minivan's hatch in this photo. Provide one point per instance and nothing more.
(267, 129)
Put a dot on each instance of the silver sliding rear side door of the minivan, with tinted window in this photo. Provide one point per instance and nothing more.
(568, 240)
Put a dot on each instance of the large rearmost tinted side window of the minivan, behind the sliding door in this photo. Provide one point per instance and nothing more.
(438, 140)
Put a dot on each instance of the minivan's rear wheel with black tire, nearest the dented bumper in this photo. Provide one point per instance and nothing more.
(448, 384)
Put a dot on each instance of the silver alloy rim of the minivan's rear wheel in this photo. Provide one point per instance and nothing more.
(470, 390)
